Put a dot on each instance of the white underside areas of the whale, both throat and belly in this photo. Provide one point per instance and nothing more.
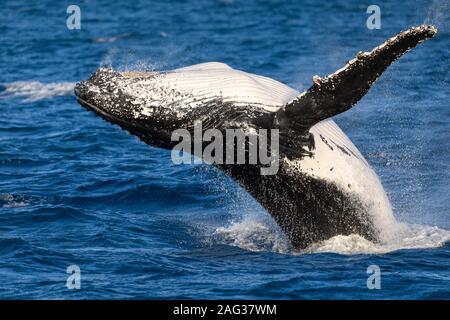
(335, 159)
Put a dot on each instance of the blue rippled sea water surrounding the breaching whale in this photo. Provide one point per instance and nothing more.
(75, 190)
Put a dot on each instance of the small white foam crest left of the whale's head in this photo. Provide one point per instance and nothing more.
(31, 91)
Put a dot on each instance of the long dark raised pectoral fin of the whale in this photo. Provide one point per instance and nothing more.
(342, 89)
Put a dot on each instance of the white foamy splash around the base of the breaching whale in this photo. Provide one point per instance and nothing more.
(254, 234)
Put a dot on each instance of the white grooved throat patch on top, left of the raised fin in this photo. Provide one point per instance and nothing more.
(201, 83)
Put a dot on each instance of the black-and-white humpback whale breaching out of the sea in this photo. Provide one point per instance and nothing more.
(324, 187)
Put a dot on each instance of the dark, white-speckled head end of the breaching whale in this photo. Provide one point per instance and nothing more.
(105, 93)
